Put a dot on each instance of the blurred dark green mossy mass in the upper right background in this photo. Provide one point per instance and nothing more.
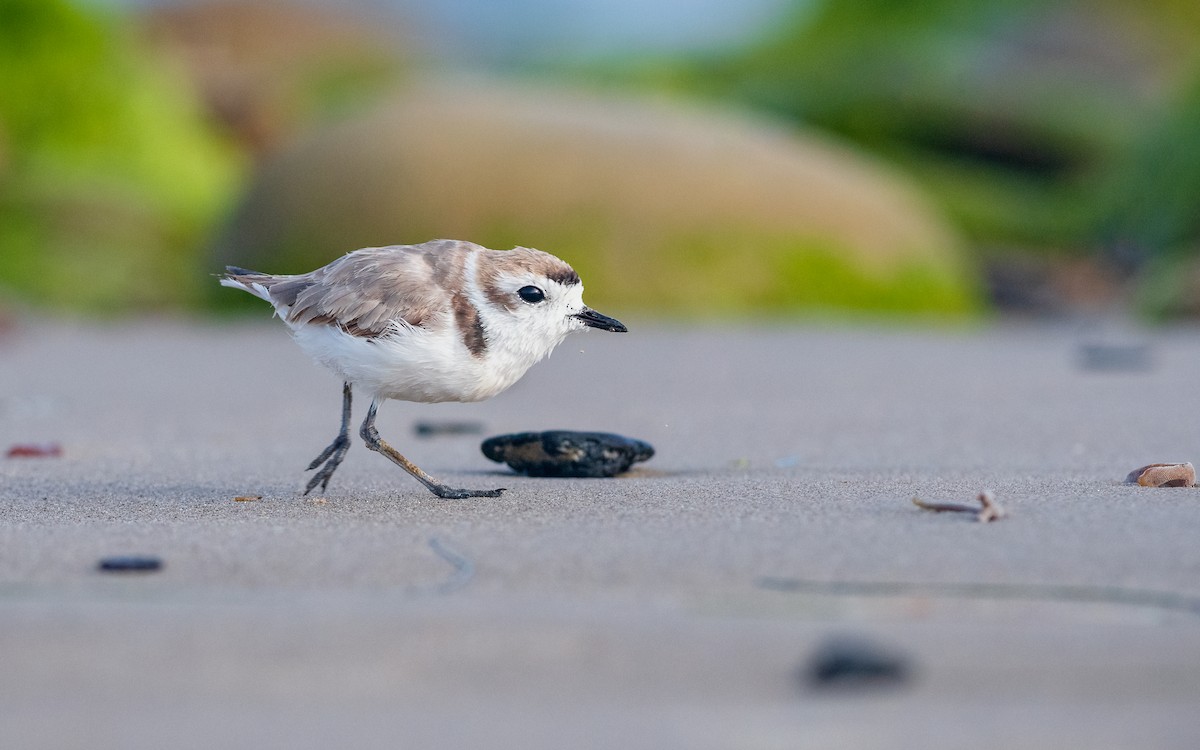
(1045, 127)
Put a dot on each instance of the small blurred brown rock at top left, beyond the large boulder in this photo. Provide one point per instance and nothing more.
(266, 69)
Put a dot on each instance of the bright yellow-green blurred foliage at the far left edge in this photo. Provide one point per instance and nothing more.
(110, 176)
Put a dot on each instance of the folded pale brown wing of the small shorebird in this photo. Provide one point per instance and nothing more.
(365, 291)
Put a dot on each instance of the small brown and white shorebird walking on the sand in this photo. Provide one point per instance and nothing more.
(437, 322)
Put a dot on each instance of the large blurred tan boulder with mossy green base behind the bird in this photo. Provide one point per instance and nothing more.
(659, 207)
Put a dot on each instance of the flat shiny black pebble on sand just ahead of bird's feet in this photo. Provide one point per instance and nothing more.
(563, 453)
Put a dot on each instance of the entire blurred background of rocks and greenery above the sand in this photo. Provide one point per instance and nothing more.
(691, 158)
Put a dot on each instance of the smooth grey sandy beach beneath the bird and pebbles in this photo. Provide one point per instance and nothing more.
(679, 607)
